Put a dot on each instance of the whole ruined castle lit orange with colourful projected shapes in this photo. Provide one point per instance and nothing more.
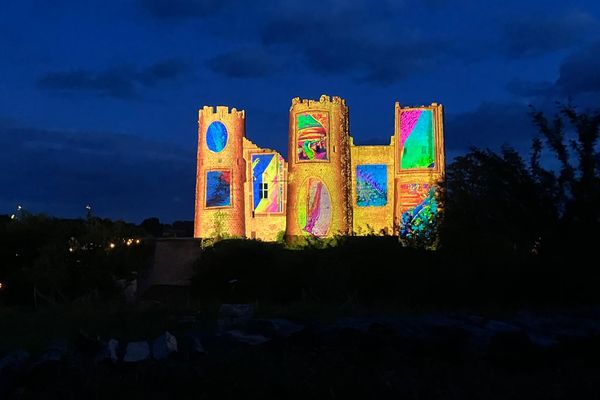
(329, 185)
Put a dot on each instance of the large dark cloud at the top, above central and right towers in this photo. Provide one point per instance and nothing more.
(351, 42)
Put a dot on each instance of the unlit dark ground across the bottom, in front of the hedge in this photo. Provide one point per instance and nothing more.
(545, 355)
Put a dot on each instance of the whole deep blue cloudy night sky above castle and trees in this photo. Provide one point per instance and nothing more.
(99, 99)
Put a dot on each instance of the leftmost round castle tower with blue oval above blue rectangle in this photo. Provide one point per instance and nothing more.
(220, 172)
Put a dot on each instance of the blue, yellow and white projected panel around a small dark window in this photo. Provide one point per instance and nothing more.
(267, 183)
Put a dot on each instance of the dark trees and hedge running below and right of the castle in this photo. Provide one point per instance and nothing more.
(512, 234)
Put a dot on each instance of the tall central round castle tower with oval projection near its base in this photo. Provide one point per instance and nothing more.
(318, 168)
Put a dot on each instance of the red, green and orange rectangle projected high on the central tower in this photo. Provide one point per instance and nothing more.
(311, 141)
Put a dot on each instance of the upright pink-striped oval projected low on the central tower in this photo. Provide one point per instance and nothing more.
(314, 208)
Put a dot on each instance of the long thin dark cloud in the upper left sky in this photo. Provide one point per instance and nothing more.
(122, 82)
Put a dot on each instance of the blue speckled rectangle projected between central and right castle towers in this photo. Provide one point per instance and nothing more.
(371, 185)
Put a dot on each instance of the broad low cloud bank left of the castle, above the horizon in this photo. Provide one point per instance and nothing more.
(122, 176)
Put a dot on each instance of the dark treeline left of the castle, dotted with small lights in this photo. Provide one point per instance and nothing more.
(49, 259)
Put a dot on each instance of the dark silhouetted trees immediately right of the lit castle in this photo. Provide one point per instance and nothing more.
(501, 202)
